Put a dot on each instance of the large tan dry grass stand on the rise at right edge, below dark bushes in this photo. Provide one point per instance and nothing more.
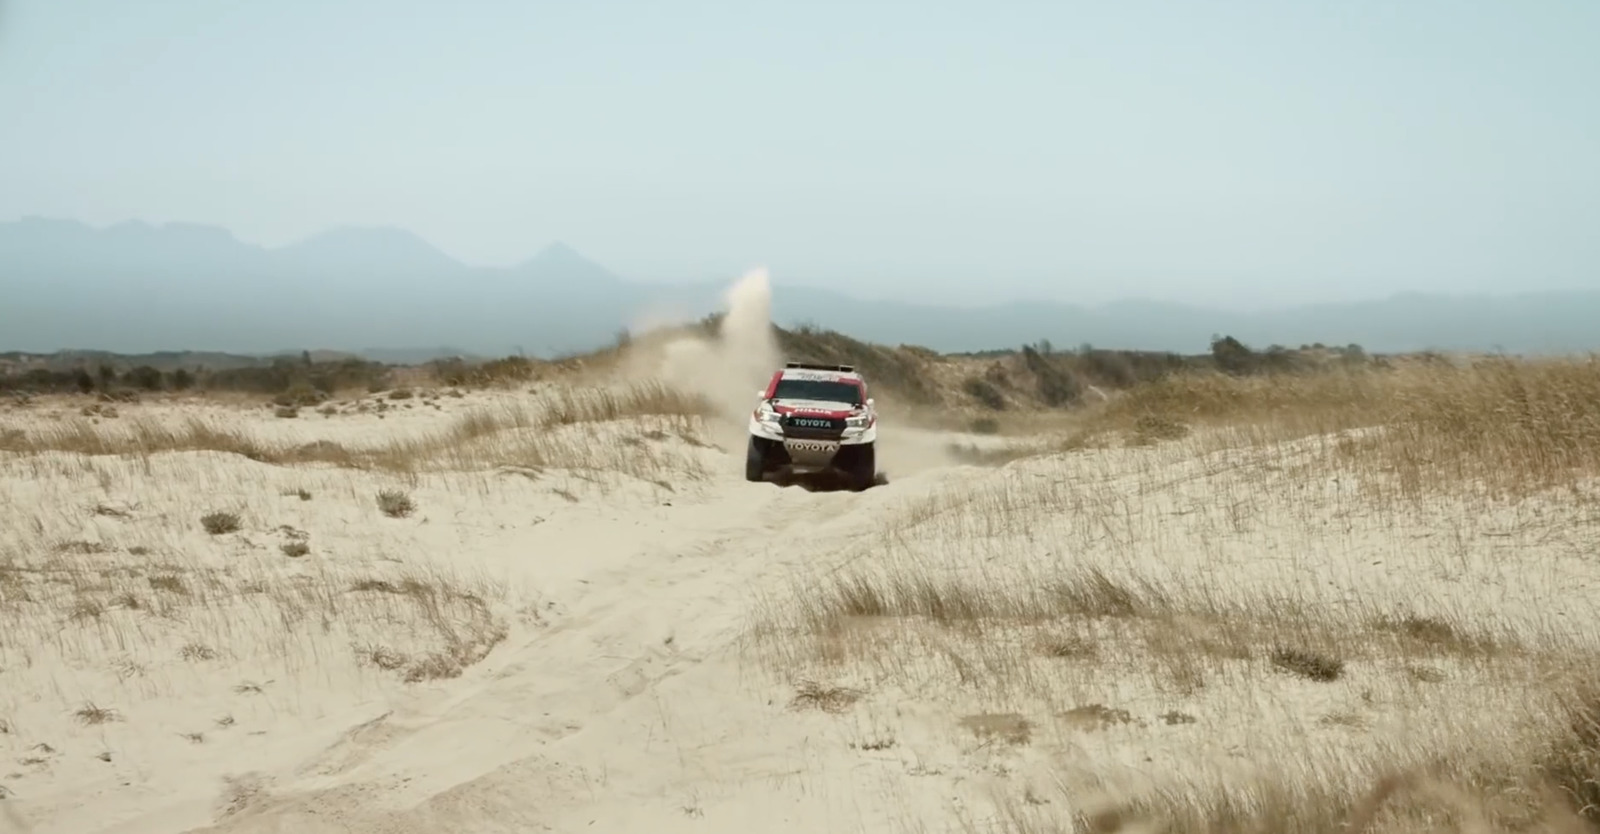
(1500, 425)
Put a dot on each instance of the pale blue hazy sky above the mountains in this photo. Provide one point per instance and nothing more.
(1241, 153)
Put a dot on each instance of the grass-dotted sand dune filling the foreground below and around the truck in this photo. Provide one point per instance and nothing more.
(566, 611)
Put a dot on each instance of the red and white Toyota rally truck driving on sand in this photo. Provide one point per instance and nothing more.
(815, 419)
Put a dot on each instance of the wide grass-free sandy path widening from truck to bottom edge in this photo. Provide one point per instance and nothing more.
(578, 724)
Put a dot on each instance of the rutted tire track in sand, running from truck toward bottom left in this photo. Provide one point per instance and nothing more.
(479, 761)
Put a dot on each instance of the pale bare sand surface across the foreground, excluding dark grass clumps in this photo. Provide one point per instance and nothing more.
(646, 683)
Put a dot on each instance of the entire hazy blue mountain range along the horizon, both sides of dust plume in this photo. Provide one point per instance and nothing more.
(386, 294)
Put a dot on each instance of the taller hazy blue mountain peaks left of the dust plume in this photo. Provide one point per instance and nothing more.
(138, 287)
